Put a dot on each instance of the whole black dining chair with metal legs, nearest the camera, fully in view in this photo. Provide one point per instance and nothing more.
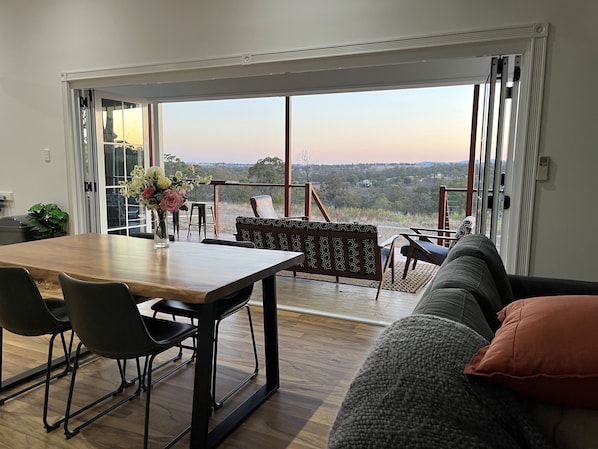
(105, 317)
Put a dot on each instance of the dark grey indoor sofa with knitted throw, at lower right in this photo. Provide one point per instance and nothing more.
(412, 390)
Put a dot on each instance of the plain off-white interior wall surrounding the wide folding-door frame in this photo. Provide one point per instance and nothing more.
(40, 39)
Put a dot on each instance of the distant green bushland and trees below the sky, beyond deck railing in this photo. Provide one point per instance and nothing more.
(401, 188)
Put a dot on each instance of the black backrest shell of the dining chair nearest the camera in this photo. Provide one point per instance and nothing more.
(106, 319)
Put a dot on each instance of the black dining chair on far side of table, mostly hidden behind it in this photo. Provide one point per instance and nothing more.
(225, 307)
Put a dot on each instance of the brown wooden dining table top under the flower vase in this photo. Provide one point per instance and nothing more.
(190, 272)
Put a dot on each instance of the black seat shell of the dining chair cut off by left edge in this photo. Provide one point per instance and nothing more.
(22, 308)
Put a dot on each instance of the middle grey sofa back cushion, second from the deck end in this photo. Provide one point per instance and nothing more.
(471, 273)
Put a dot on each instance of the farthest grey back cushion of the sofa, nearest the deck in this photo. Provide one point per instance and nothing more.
(478, 245)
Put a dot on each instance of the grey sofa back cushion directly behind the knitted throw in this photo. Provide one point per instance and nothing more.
(458, 305)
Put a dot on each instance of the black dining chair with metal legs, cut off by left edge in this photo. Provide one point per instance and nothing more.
(23, 311)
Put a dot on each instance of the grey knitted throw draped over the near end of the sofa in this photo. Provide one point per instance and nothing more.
(411, 393)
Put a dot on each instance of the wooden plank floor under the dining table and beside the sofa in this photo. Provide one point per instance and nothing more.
(319, 355)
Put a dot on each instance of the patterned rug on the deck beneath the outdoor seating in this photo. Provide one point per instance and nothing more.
(415, 281)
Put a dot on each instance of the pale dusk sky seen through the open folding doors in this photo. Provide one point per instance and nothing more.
(406, 125)
